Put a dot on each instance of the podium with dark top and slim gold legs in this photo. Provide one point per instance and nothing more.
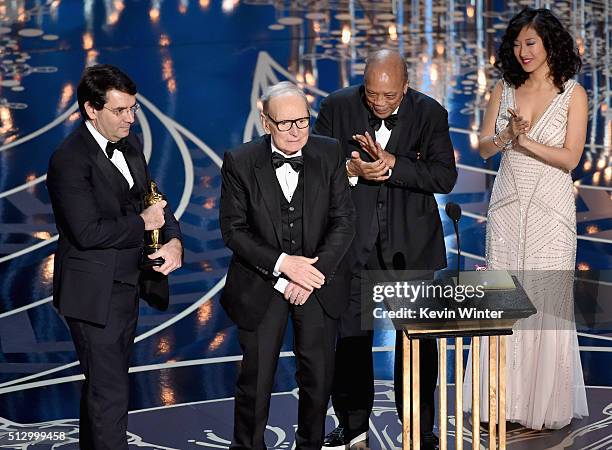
(514, 305)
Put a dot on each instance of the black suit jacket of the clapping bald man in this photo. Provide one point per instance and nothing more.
(411, 234)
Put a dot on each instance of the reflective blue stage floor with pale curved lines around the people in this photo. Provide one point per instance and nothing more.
(199, 67)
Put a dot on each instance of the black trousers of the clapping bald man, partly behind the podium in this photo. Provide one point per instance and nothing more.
(353, 385)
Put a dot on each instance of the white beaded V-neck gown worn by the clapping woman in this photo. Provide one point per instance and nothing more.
(531, 229)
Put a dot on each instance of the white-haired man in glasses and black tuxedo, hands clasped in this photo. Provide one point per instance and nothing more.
(287, 216)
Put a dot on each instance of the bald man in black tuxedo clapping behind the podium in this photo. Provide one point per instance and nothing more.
(399, 154)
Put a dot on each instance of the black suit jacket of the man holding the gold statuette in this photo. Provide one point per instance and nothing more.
(95, 235)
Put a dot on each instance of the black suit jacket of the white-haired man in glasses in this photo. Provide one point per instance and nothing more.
(250, 216)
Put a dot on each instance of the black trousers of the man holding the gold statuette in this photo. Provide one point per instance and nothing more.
(104, 353)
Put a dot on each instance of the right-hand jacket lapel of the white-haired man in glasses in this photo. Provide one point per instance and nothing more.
(312, 183)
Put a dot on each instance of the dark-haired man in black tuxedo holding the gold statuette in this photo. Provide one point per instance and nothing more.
(96, 180)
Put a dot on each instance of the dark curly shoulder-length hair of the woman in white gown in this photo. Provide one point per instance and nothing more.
(562, 56)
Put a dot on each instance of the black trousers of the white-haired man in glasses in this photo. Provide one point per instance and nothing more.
(314, 341)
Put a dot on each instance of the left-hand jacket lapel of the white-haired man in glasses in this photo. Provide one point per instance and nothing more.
(267, 182)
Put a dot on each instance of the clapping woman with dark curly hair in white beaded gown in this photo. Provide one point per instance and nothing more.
(537, 118)
